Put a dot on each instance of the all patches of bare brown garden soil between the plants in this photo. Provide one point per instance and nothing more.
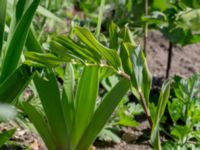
(185, 61)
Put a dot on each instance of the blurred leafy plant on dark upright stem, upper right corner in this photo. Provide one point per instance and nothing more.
(177, 21)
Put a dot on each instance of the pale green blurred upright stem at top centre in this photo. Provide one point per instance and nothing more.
(100, 16)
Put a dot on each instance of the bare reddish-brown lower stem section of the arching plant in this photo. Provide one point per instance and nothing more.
(146, 109)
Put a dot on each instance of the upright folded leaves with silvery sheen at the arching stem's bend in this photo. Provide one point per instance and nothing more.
(135, 64)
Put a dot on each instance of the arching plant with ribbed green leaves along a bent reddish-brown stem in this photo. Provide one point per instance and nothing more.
(130, 63)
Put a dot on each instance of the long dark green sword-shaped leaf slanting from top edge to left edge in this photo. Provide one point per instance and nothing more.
(16, 44)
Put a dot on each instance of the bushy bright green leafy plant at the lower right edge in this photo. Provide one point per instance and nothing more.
(184, 110)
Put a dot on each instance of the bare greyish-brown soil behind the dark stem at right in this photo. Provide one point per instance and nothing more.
(185, 60)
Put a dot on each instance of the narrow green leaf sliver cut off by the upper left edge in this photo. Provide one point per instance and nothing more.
(3, 5)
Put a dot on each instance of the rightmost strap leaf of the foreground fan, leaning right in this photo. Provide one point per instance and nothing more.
(103, 112)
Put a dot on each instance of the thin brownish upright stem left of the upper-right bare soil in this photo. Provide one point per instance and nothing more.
(145, 27)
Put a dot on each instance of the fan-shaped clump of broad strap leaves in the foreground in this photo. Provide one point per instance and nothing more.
(72, 110)
